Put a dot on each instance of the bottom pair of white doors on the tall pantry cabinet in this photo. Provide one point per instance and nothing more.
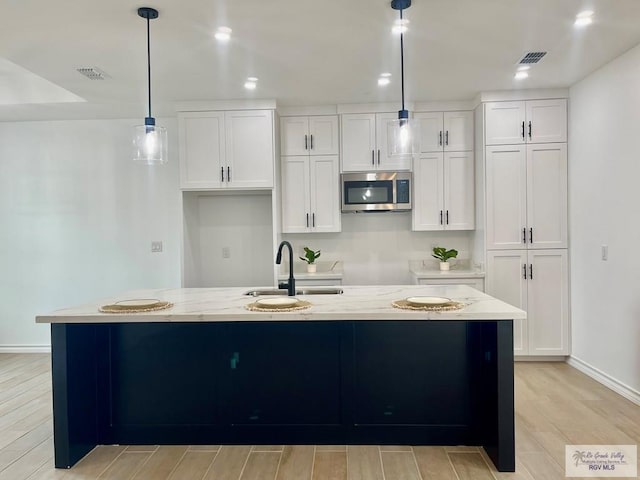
(536, 281)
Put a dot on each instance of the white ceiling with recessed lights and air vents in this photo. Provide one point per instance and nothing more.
(304, 52)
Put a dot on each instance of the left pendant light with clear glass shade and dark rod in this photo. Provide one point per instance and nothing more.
(150, 140)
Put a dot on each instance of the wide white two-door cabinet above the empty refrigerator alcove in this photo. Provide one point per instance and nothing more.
(222, 150)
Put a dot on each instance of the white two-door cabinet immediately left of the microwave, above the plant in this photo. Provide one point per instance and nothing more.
(310, 194)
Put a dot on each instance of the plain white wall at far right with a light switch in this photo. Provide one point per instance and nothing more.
(604, 196)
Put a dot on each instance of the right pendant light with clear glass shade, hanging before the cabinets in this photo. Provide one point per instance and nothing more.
(402, 135)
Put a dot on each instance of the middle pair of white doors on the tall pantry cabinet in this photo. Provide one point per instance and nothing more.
(526, 196)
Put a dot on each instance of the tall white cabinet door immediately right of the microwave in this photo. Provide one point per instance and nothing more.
(428, 195)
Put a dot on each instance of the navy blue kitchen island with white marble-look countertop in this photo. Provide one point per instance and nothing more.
(351, 369)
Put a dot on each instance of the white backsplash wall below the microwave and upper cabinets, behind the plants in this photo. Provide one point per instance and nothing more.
(375, 248)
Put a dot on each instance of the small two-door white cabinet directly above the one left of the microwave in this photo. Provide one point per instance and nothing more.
(315, 135)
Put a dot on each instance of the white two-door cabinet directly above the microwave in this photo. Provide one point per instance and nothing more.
(364, 143)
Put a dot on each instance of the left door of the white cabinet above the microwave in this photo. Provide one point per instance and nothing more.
(358, 142)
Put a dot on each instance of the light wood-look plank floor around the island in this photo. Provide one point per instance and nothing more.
(555, 405)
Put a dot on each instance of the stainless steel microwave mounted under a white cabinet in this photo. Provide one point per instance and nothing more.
(376, 191)
